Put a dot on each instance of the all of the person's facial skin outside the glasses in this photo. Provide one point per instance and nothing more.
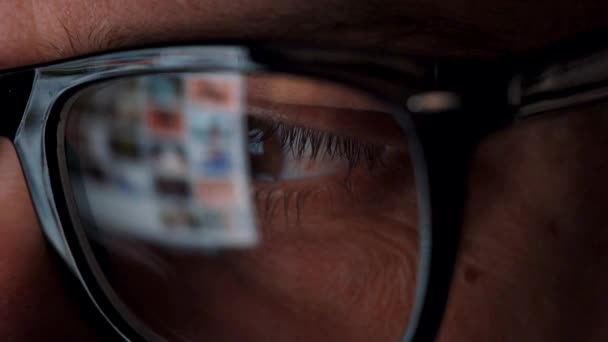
(533, 257)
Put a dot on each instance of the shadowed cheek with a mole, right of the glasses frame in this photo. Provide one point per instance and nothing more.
(533, 253)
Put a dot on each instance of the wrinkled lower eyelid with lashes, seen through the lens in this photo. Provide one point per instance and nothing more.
(288, 202)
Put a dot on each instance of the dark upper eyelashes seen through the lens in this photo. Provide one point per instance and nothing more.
(314, 143)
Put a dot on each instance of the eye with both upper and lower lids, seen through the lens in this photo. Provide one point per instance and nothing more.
(321, 154)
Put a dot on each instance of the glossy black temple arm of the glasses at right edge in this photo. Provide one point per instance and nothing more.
(576, 82)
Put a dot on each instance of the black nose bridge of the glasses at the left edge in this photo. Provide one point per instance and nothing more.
(15, 90)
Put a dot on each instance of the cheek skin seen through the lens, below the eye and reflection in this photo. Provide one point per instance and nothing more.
(345, 273)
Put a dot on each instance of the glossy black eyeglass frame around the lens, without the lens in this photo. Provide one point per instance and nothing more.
(450, 106)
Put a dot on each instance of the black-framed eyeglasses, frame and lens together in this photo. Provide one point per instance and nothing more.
(255, 192)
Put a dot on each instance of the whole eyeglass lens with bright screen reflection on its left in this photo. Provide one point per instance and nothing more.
(257, 207)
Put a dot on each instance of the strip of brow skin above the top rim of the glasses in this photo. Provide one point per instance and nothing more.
(47, 30)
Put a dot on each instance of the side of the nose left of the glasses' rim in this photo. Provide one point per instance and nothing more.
(34, 305)
